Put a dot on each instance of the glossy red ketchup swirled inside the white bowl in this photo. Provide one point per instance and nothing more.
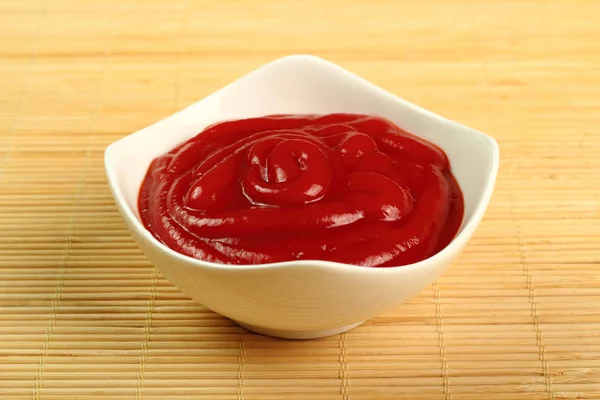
(349, 188)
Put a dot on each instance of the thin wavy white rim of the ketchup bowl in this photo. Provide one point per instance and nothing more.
(458, 241)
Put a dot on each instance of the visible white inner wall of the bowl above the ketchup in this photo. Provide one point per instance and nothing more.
(306, 84)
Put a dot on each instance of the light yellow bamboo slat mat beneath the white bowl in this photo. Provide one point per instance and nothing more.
(83, 315)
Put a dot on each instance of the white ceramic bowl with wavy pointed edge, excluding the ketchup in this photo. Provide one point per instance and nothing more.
(301, 299)
